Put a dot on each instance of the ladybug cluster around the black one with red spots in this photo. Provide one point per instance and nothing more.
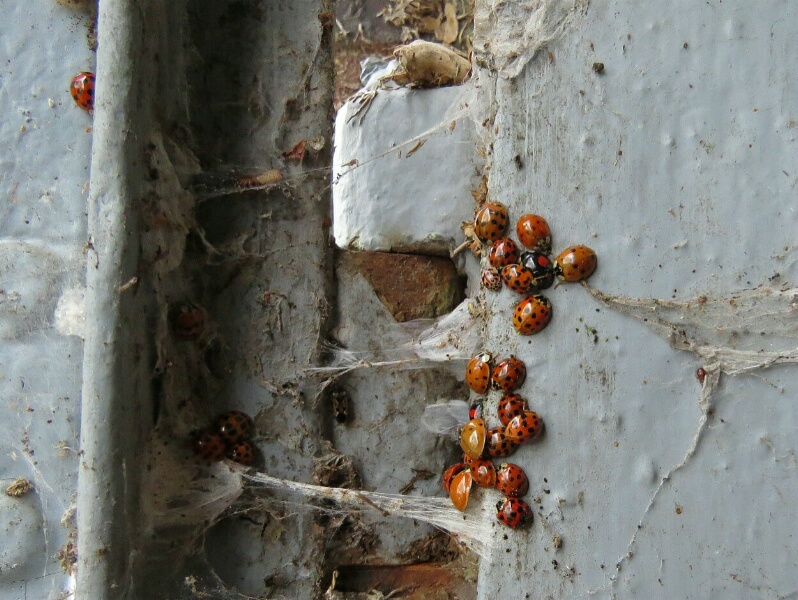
(530, 271)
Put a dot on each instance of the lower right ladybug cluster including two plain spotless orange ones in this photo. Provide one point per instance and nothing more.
(480, 445)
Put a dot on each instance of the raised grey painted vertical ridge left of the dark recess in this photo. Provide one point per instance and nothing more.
(116, 389)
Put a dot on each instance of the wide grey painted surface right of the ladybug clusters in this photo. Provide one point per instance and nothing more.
(677, 164)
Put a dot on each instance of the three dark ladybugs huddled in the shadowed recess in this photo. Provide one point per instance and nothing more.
(228, 436)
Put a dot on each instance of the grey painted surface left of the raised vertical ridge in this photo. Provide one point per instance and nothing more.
(44, 176)
